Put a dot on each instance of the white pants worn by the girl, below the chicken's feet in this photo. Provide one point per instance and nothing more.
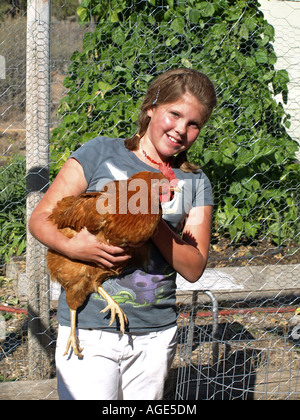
(115, 366)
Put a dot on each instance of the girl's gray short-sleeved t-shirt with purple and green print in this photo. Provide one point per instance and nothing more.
(147, 296)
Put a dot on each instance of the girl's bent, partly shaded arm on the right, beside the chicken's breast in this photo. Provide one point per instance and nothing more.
(187, 255)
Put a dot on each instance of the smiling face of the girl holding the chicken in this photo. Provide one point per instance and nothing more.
(174, 127)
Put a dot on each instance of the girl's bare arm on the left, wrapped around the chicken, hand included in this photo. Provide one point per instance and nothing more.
(84, 246)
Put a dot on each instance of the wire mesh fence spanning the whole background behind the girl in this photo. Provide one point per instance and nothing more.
(239, 329)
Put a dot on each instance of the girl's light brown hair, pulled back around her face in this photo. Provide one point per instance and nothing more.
(168, 88)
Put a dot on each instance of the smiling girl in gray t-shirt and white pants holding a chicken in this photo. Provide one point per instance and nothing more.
(135, 365)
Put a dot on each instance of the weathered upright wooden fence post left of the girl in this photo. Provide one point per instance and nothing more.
(37, 161)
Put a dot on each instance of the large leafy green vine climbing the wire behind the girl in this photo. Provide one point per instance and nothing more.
(244, 149)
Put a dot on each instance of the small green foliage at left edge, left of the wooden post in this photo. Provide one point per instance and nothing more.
(12, 209)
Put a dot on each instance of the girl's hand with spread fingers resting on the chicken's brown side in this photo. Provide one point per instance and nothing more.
(84, 246)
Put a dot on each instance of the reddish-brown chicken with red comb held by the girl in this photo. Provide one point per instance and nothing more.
(124, 213)
